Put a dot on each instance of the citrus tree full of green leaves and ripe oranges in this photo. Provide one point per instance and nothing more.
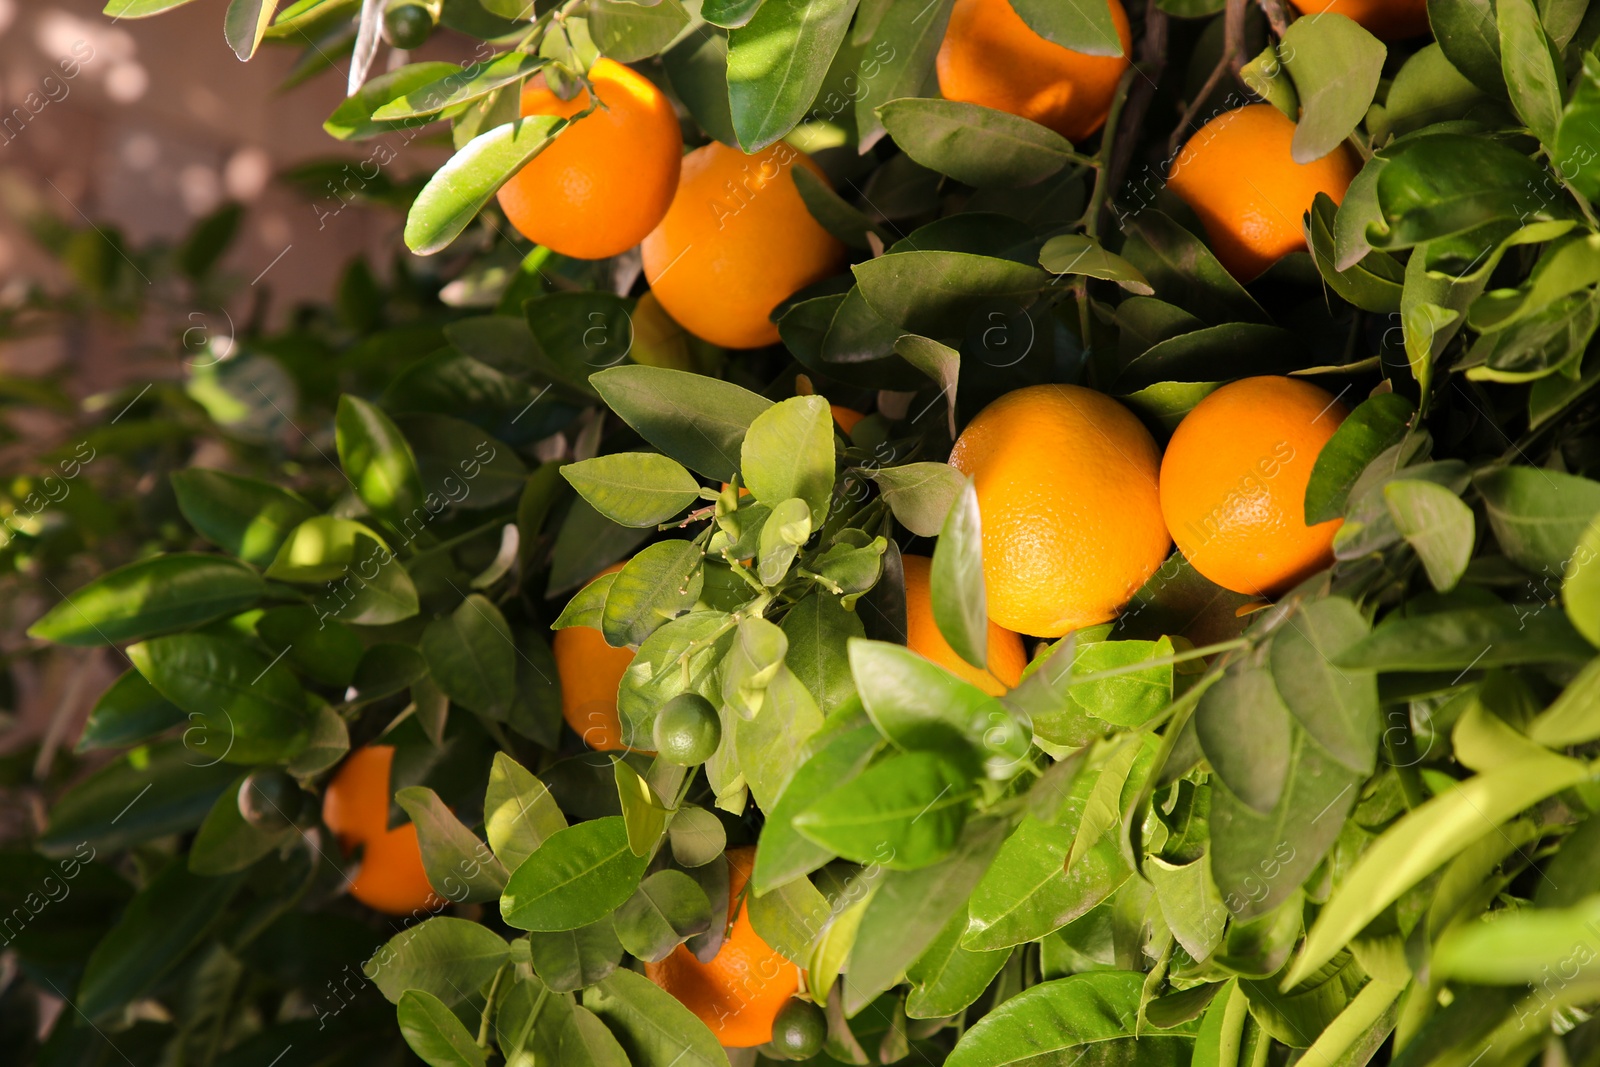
(1068, 540)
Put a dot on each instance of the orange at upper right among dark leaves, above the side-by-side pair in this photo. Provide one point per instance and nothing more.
(1249, 191)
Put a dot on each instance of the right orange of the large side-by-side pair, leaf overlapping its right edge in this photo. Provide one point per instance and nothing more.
(1234, 484)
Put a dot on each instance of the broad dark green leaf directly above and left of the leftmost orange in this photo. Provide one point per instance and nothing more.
(244, 706)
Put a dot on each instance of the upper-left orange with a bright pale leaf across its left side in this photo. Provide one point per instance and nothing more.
(609, 178)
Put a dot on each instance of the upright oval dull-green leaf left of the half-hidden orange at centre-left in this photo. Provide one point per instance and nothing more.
(471, 657)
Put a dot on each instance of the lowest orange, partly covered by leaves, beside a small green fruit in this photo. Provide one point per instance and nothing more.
(746, 985)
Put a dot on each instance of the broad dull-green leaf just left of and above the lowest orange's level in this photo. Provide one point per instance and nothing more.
(446, 957)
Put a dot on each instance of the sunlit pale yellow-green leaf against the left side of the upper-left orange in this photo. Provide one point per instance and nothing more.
(458, 190)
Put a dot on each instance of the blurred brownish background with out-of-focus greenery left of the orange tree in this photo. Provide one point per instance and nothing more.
(172, 226)
